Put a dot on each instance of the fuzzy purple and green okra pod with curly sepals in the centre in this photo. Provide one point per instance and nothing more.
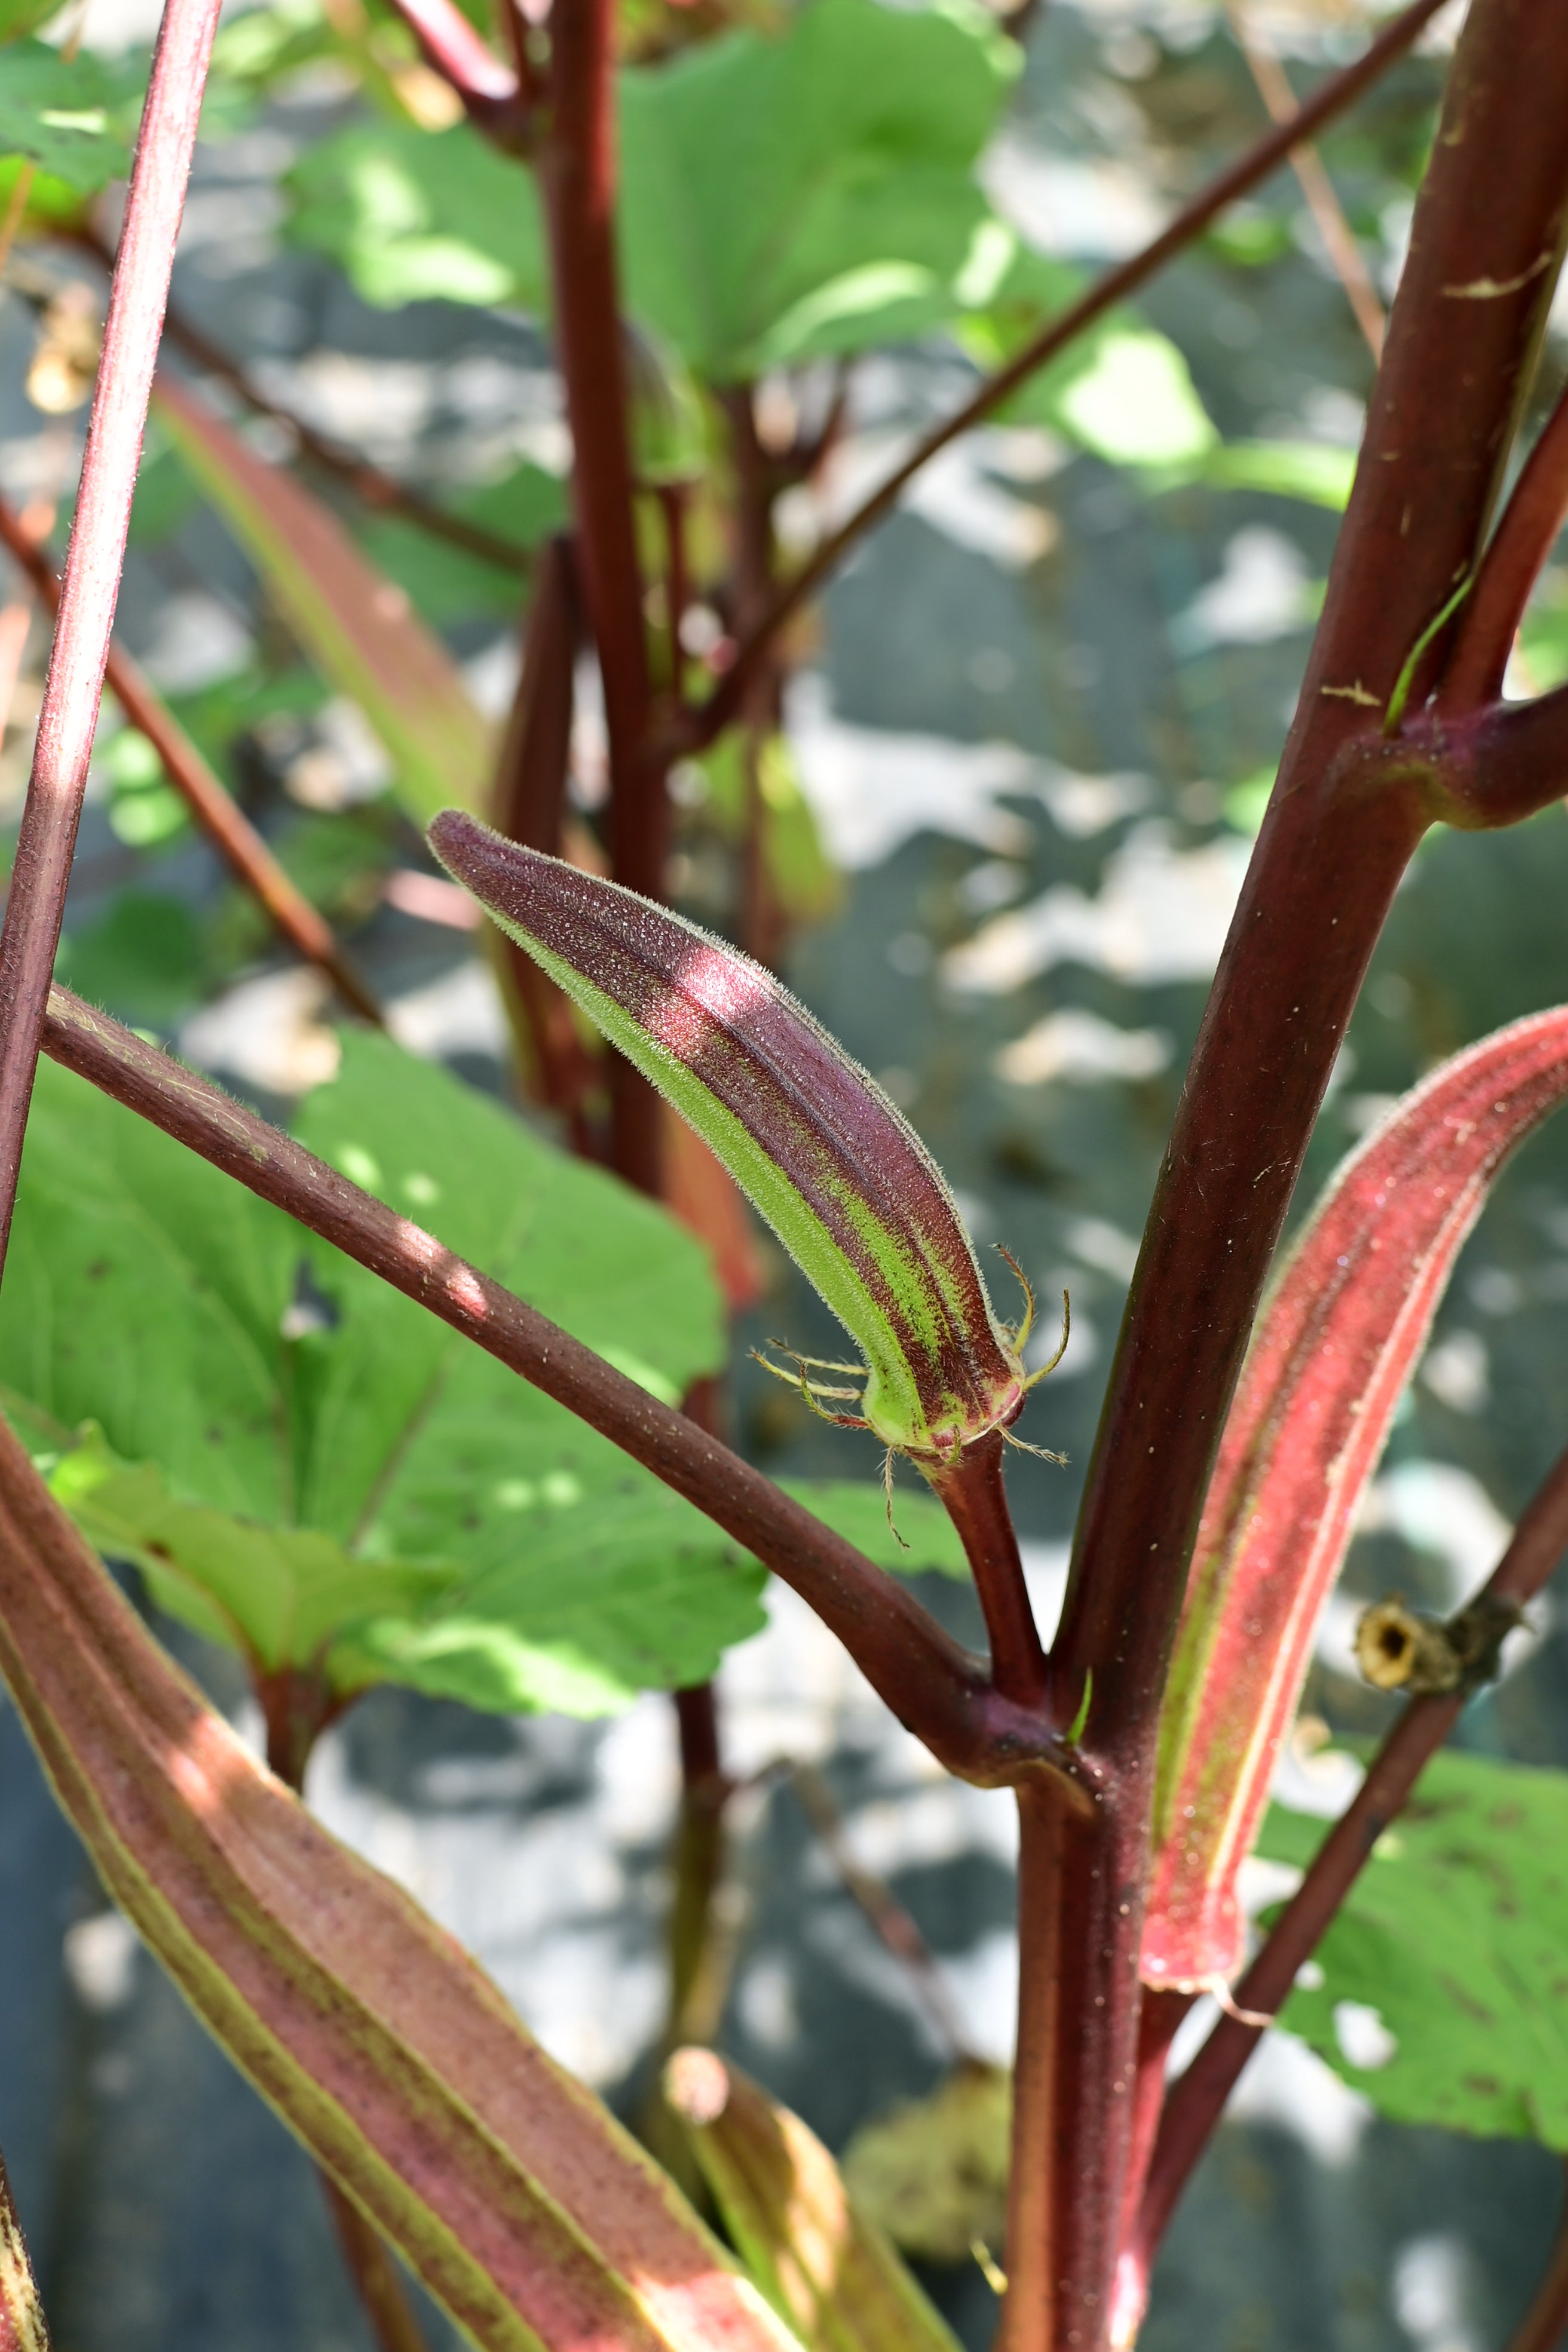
(810, 1137)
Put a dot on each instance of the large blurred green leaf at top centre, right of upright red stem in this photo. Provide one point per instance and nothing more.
(810, 192)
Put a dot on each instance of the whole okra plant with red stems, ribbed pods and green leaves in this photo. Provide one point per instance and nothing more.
(417, 1396)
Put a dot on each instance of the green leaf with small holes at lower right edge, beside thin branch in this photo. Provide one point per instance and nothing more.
(1454, 1942)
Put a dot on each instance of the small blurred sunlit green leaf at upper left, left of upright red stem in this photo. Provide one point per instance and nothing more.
(422, 218)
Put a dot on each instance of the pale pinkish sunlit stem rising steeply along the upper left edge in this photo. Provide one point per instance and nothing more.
(93, 568)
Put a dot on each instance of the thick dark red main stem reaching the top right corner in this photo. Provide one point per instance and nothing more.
(1334, 846)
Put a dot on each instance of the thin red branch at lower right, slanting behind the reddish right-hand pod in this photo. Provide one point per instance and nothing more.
(1200, 2097)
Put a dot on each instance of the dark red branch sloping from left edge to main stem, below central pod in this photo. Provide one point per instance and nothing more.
(925, 1678)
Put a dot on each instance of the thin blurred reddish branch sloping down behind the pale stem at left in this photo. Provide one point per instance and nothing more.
(213, 808)
